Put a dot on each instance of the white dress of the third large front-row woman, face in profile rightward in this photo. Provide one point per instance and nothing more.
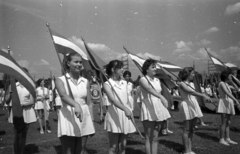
(152, 107)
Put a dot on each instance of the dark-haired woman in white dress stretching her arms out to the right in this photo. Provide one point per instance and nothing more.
(189, 108)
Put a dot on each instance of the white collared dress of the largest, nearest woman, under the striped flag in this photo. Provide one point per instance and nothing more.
(68, 123)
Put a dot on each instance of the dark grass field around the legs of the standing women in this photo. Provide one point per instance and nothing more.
(205, 138)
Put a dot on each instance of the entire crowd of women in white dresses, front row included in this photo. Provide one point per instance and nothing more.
(76, 92)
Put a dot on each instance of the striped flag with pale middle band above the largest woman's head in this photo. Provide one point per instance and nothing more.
(64, 46)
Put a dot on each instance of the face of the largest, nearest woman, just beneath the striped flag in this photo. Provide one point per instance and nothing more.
(75, 64)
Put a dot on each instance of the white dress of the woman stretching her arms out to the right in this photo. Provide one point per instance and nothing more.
(189, 107)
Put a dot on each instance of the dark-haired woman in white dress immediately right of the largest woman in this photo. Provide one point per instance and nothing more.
(118, 117)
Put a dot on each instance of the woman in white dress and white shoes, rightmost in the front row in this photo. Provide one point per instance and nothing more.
(226, 108)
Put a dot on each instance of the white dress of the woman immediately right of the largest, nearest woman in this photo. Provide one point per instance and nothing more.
(115, 119)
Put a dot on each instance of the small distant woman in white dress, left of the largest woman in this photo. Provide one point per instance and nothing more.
(41, 102)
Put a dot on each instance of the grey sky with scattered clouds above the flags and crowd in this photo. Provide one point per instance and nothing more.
(176, 31)
